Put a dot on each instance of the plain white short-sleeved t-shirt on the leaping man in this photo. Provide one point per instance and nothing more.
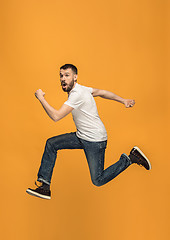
(85, 115)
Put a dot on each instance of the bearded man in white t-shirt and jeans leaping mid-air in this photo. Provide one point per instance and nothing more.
(91, 135)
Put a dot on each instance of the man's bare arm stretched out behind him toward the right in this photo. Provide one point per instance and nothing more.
(112, 96)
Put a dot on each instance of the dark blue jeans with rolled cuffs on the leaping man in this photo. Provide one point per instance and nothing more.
(95, 154)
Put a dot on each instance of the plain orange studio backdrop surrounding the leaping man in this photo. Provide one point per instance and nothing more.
(121, 46)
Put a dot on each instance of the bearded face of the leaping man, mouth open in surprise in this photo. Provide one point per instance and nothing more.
(67, 79)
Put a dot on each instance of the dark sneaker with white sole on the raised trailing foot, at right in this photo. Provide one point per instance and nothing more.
(137, 156)
